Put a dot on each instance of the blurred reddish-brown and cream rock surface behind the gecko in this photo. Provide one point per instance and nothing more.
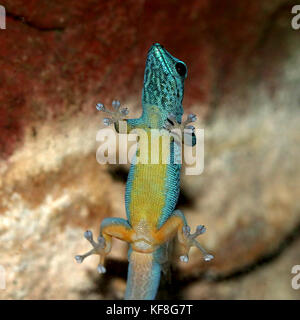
(58, 58)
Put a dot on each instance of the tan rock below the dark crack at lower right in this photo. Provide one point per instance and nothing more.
(270, 281)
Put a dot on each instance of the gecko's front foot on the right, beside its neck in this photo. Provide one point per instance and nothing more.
(178, 129)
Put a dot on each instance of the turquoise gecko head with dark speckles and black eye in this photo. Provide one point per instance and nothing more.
(164, 82)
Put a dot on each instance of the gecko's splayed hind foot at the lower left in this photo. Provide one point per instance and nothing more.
(98, 249)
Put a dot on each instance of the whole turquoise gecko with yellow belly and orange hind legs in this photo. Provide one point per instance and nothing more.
(152, 190)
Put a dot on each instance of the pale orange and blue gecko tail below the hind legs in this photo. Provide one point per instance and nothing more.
(143, 277)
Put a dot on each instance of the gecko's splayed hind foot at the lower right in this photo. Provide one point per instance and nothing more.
(190, 240)
